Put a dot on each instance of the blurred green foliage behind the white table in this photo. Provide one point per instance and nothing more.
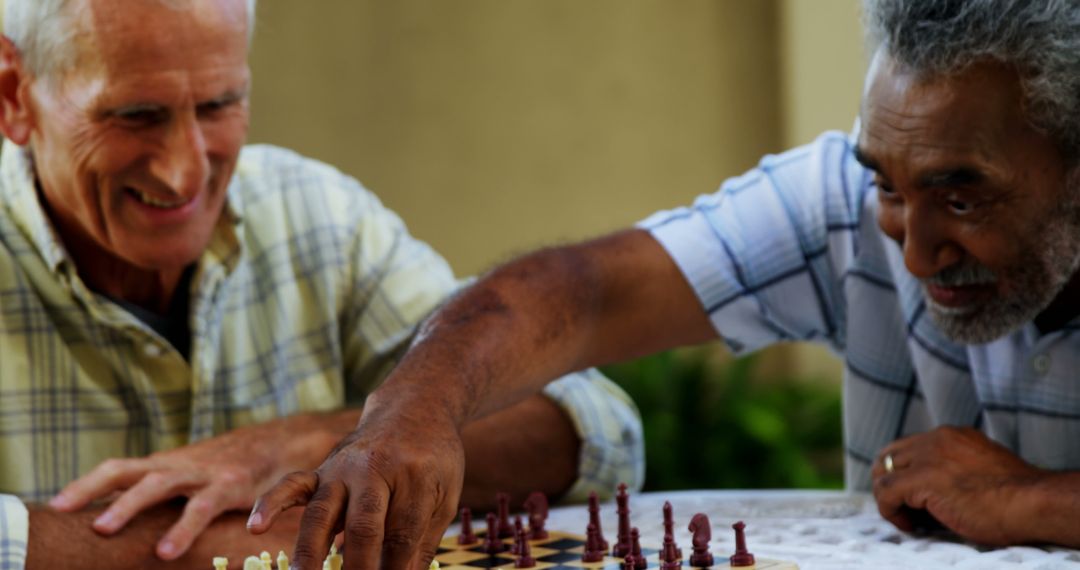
(725, 427)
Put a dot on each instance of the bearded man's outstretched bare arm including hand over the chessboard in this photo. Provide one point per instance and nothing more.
(394, 485)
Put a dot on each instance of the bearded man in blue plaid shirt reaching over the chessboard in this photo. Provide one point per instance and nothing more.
(936, 248)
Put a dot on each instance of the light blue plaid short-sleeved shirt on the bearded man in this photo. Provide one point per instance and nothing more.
(792, 252)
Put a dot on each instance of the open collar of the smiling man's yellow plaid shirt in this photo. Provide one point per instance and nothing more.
(20, 197)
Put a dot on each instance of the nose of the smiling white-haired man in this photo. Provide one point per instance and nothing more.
(182, 162)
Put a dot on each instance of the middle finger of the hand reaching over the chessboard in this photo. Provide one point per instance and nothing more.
(364, 526)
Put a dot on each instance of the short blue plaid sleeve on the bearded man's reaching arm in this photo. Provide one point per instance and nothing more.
(766, 254)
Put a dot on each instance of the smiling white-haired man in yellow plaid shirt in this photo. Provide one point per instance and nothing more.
(184, 318)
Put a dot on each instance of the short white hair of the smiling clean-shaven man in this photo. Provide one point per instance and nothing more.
(44, 32)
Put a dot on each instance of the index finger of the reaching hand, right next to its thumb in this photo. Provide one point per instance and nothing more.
(319, 525)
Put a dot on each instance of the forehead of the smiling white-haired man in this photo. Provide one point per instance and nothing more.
(151, 35)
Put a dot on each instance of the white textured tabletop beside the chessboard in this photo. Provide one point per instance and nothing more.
(819, 531)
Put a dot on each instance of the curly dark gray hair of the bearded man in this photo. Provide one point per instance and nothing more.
(1039, 38)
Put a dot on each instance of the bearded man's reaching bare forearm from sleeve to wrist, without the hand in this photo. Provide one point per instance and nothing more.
(545, 316)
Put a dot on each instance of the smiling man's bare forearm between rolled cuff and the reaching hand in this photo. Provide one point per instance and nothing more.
(529, 447)
